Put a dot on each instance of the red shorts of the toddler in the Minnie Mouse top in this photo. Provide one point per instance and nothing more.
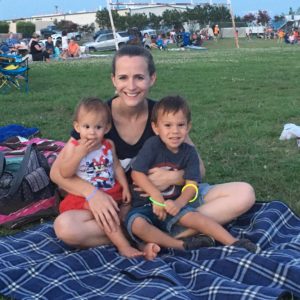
(77, 202)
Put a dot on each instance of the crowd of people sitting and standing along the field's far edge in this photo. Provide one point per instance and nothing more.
(65, 48)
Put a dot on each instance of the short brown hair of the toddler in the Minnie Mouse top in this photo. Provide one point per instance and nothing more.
(92, 104)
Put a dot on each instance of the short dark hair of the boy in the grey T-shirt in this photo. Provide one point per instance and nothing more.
(171, 104)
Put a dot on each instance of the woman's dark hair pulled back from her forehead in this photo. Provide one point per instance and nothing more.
(131, 51)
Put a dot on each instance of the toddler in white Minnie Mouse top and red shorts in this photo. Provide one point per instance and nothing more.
(94, 159)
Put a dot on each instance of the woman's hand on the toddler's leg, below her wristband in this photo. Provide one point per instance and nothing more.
(105, 211)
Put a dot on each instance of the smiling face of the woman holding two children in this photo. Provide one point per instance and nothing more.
(132, 79)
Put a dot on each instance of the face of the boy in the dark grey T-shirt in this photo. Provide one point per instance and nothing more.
(172, 128)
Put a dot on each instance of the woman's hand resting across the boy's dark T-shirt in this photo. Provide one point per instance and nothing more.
(163, 178)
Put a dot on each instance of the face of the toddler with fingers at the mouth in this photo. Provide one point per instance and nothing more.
(91, 125)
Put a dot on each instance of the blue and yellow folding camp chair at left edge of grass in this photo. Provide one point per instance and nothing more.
(14, 72)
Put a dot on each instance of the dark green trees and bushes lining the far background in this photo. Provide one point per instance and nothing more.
(170, 19)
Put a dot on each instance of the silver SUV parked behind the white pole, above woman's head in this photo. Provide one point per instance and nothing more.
(106, 41)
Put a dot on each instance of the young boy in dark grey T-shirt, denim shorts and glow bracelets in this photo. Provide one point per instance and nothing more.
(171, 121)
